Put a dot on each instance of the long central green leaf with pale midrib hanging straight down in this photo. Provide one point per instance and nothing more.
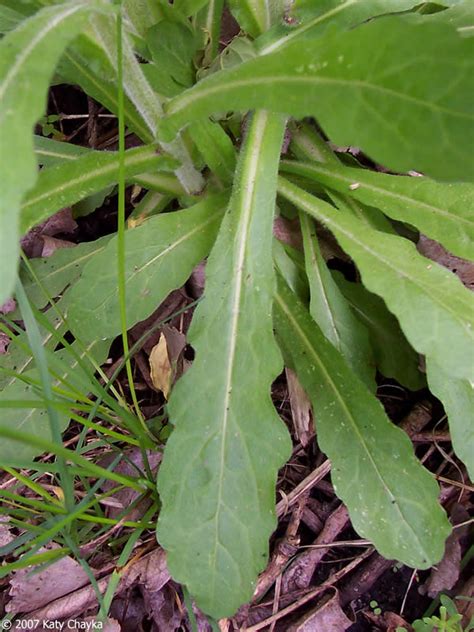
(217, 478)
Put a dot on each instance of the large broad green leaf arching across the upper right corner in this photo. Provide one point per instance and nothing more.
(360, 98)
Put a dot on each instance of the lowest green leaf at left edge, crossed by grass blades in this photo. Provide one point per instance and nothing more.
(35, 420)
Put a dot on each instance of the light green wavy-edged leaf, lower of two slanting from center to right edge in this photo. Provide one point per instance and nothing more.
(434, 309)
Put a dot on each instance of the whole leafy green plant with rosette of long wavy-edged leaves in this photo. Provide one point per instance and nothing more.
(368, 79)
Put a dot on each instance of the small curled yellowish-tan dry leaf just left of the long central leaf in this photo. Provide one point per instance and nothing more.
(165, 359)
